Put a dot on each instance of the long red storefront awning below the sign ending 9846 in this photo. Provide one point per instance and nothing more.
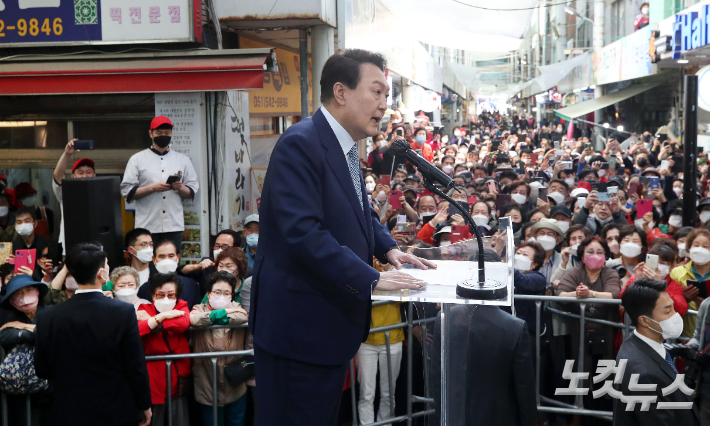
(177, 71)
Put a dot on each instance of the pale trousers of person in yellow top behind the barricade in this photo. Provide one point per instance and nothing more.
(367, 359)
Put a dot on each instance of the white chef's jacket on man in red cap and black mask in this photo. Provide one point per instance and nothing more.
(160, 211)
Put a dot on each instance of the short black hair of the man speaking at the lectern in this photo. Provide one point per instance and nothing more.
(344, 67)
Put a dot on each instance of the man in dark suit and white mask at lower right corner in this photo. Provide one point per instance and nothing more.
(651, 311)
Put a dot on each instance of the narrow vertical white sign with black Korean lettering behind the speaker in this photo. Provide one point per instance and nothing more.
(238, 173)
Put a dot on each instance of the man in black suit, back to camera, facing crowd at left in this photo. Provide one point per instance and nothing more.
(89, 347)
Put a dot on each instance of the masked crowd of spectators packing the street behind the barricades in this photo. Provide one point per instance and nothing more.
(589, 221)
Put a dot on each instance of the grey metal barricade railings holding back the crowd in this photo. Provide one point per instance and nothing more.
(409, 324)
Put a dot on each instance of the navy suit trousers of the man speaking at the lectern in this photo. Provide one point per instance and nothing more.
(296, 393)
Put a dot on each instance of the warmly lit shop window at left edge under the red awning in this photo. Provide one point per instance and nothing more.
(32, 134)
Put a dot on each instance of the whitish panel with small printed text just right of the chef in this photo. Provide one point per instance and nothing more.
(186, 111)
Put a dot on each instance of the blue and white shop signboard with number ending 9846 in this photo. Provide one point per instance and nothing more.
(73, 22)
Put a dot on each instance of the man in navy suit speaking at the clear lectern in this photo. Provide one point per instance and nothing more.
(318, 234)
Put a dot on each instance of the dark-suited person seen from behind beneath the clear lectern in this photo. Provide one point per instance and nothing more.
(491, 372)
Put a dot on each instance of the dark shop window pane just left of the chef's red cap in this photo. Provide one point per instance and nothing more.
(114, 134)
